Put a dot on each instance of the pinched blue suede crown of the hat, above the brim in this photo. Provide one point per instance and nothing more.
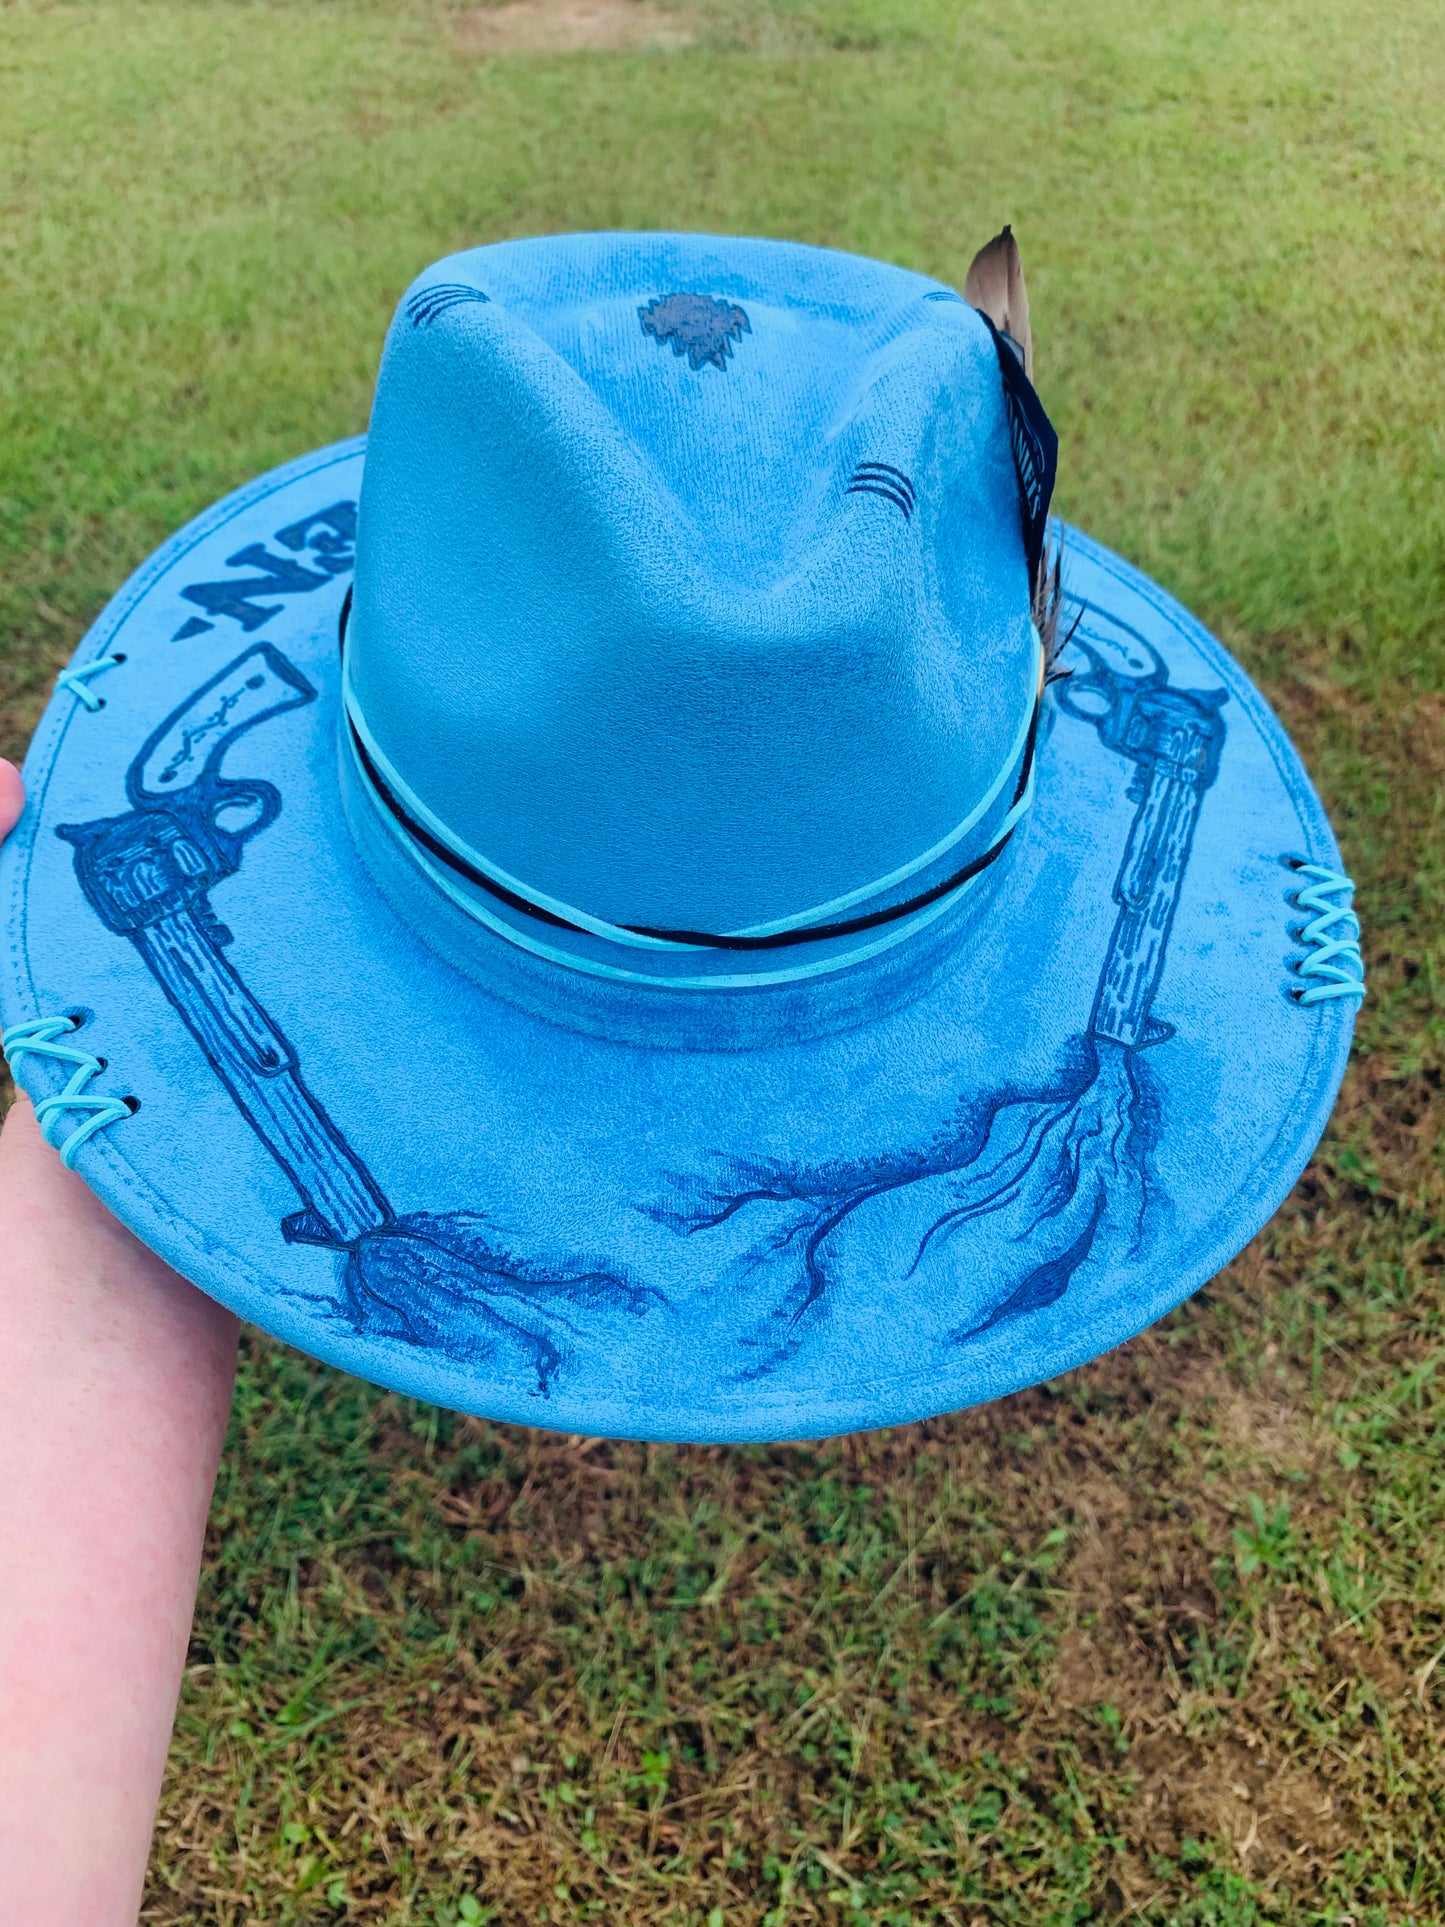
(693, 591)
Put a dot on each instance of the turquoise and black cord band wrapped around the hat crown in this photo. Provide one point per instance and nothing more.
(436, 851)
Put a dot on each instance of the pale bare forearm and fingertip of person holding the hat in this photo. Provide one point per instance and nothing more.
(115, 1390)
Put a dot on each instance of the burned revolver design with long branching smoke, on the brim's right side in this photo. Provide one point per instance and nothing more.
(1047, 1173)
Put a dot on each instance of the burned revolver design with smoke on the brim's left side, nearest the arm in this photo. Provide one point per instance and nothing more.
(438, 1280)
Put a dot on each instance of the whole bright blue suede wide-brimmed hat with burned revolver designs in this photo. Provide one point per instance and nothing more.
(639, 901)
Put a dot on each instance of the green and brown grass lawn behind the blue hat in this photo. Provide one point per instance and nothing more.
(1153, 1643)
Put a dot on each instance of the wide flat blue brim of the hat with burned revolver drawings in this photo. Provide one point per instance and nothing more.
(964, 1196)
